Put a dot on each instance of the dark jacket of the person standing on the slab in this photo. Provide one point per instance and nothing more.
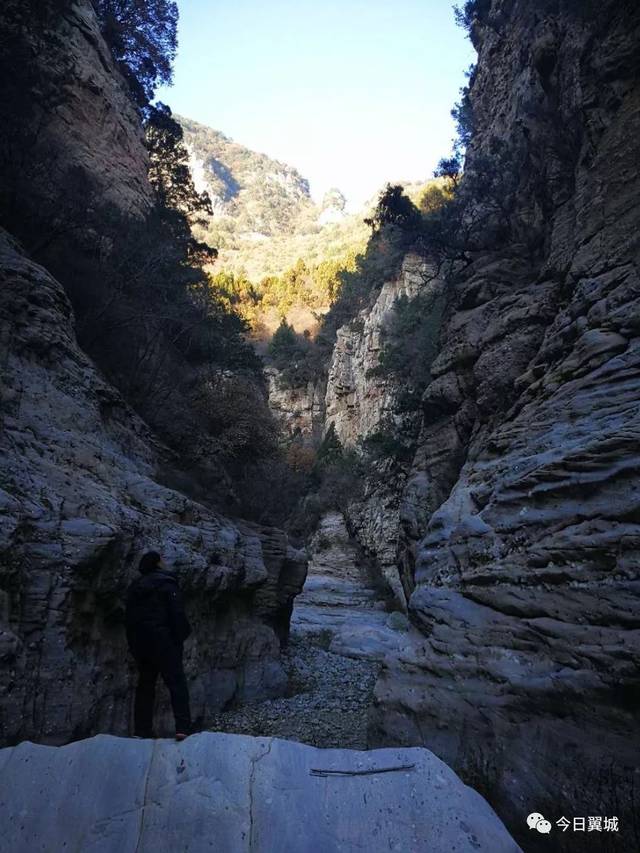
(155, 612)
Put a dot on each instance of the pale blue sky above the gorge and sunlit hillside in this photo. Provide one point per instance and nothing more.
(352, 94)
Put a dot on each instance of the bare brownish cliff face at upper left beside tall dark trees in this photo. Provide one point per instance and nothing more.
(89, 149)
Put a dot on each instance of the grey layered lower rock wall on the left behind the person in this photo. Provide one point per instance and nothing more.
(79, 502)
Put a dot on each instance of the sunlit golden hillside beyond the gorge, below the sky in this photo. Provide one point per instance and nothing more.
(280, 255)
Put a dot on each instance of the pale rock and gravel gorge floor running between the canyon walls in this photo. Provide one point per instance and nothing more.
(342, 626)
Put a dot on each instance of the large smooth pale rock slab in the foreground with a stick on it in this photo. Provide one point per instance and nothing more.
(231, 793)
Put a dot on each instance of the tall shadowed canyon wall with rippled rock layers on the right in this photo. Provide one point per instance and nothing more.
(522, 507)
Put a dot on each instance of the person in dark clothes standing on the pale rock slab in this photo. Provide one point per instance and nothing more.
(157, 627)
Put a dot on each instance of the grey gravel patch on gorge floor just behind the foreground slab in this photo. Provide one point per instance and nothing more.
(330, 695)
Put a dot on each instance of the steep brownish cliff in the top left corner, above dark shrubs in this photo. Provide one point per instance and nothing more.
(73, 139)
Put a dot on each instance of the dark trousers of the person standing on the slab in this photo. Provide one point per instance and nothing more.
(164, 660)
